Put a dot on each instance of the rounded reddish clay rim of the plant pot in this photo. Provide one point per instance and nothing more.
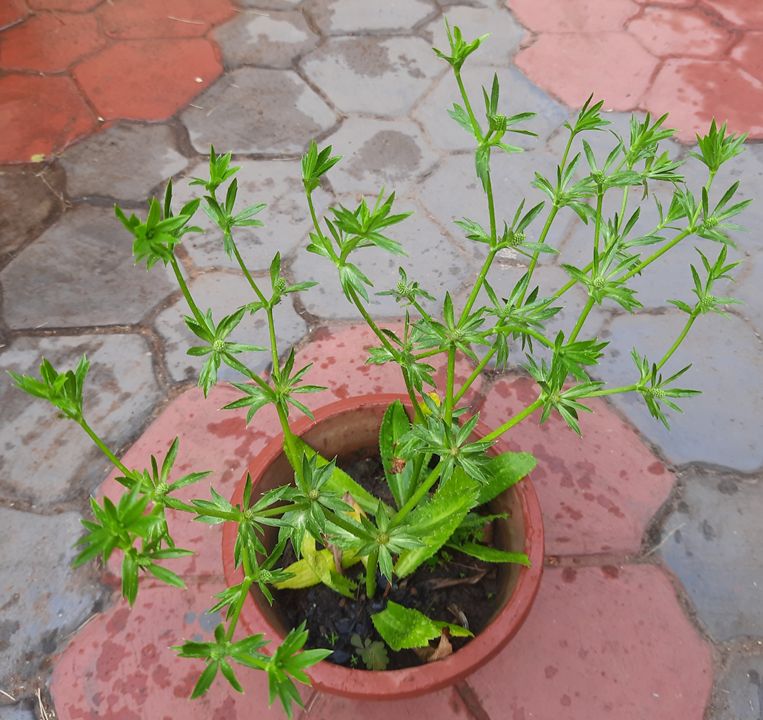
(407, 682)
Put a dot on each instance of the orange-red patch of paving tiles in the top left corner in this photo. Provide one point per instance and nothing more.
(102, 61)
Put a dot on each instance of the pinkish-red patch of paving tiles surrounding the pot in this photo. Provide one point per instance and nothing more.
(606, 637)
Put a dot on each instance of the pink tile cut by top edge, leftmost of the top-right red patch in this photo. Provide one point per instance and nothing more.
(578, 16)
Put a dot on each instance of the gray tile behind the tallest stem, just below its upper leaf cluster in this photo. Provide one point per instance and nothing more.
(453, 190)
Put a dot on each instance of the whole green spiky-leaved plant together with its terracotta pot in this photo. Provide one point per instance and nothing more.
(440, 491)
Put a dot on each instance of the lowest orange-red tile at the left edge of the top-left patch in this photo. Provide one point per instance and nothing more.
(60, 116)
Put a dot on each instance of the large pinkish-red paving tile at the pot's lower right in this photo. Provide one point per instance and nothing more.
(600, 643)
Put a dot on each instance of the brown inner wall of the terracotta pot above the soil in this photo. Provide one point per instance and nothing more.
(344, 435)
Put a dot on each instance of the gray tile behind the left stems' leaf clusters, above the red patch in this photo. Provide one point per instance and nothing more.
(225, 292)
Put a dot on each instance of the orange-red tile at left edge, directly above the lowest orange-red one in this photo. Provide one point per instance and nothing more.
(50, 42)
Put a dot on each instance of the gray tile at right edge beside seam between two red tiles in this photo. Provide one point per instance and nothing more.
(712, 543)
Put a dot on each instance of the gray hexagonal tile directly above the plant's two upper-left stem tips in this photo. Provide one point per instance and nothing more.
(261, 111)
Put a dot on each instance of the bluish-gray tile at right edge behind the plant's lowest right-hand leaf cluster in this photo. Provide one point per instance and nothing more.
(720, 426)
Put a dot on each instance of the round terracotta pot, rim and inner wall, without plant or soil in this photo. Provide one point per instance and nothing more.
(343, 428)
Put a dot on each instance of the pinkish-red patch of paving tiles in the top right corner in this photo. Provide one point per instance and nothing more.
(696, 59)
